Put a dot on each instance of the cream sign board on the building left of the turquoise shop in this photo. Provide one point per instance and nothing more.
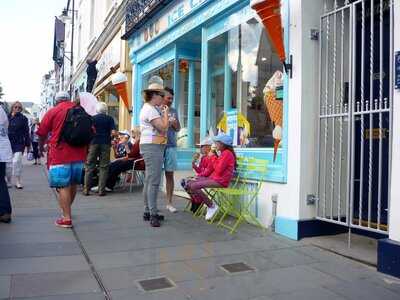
(110, 57)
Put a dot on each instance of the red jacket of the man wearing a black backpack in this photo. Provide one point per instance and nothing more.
(59, 152)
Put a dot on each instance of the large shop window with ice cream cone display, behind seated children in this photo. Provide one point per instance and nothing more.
(245, 80)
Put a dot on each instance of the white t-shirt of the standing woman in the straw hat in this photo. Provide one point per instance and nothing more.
(148, 131)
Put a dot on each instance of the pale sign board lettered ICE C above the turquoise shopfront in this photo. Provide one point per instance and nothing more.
(171, 17)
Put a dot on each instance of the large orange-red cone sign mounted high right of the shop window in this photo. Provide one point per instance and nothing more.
(270, 13)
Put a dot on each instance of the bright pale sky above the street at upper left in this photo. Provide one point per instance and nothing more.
(26, 45)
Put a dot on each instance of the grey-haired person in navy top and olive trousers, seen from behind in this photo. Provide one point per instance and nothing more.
(100, 147)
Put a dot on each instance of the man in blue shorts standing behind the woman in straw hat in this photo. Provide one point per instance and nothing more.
(170, 161)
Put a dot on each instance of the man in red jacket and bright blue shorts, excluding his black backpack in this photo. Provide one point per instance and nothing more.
(65, 162)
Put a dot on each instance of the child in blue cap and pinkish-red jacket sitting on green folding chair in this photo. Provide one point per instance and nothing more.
(217, 175)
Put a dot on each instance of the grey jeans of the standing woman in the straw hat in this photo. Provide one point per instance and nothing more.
(153, 155)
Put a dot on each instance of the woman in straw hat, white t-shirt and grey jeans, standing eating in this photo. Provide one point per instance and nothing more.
(154, 123)
